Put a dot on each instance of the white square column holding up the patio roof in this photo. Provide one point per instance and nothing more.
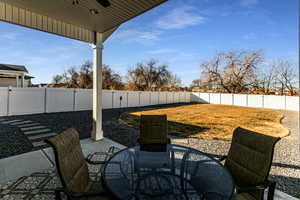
(97, 132)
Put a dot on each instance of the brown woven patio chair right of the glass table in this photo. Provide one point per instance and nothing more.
(249, 161)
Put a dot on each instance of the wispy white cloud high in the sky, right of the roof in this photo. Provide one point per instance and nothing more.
(179, 18)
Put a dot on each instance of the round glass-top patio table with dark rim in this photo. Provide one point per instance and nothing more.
(178, 173)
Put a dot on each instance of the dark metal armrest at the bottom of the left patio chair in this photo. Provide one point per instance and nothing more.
(74, 194)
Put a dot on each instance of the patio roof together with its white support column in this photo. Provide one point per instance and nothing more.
(87, 21)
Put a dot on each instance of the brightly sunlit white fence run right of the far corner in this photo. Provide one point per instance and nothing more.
(249, 100)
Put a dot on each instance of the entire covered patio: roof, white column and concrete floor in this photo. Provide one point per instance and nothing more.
(92, 22)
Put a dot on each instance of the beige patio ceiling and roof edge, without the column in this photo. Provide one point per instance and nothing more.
(71, 19)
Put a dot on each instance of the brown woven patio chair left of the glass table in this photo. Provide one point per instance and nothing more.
(72, 168)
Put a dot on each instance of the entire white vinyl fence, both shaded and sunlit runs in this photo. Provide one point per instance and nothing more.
(20, 101)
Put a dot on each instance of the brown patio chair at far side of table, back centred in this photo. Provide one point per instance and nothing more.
(153, 133)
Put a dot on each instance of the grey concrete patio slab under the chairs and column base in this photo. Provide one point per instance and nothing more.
(32, 166)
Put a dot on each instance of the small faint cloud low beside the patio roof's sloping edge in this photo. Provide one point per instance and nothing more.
(132, 35)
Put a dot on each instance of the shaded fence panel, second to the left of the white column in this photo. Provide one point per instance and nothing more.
(59, 100)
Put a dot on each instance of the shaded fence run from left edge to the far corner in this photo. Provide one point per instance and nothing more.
(20, 101)
